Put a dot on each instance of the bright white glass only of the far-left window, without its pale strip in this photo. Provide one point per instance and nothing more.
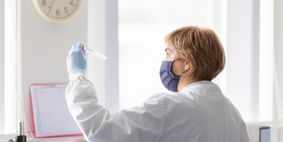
(10, 67)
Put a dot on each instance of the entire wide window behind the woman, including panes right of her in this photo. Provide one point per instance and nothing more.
(243, 27)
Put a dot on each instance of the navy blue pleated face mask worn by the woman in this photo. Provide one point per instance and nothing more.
(169, 80)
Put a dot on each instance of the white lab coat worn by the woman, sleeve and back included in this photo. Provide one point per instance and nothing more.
(198, 113)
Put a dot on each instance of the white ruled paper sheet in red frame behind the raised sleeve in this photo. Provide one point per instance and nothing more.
(50, 111)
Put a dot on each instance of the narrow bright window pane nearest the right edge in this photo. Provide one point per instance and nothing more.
(266, 60)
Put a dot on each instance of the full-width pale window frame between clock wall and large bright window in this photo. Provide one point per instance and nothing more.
(103, 35)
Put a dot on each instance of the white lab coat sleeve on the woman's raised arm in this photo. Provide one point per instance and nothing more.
(138, 124)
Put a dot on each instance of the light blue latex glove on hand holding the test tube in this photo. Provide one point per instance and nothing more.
(76, 58)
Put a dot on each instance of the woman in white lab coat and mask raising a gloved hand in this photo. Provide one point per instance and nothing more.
(195, 111)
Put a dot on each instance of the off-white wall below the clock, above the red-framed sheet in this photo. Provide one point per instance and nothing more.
(45, 46)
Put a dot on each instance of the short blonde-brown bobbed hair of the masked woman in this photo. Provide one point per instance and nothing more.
(202, 48)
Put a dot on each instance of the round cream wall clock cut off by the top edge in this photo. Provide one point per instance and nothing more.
(57, 10)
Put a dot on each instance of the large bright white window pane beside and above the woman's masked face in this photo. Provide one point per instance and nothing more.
(142, 26)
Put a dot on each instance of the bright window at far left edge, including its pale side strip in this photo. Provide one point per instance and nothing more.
(8, 67)
